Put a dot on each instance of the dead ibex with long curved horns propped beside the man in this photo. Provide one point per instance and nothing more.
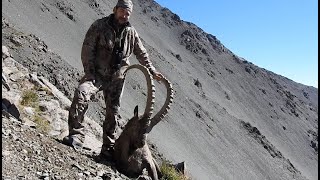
(131, 151)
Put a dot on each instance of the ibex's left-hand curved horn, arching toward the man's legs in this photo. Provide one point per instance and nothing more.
(150, 86)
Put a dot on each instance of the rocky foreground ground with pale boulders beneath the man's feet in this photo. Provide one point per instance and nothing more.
(34, 121)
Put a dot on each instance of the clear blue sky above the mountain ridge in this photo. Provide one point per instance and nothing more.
(278, 35)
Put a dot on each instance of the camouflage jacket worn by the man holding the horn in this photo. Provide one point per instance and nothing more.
(99, 42)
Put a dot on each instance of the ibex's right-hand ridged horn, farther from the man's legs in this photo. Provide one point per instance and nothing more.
(166, 106)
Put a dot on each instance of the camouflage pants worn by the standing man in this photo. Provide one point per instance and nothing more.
(112, 91)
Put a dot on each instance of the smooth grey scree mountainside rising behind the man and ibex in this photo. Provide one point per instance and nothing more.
(230, 119)
